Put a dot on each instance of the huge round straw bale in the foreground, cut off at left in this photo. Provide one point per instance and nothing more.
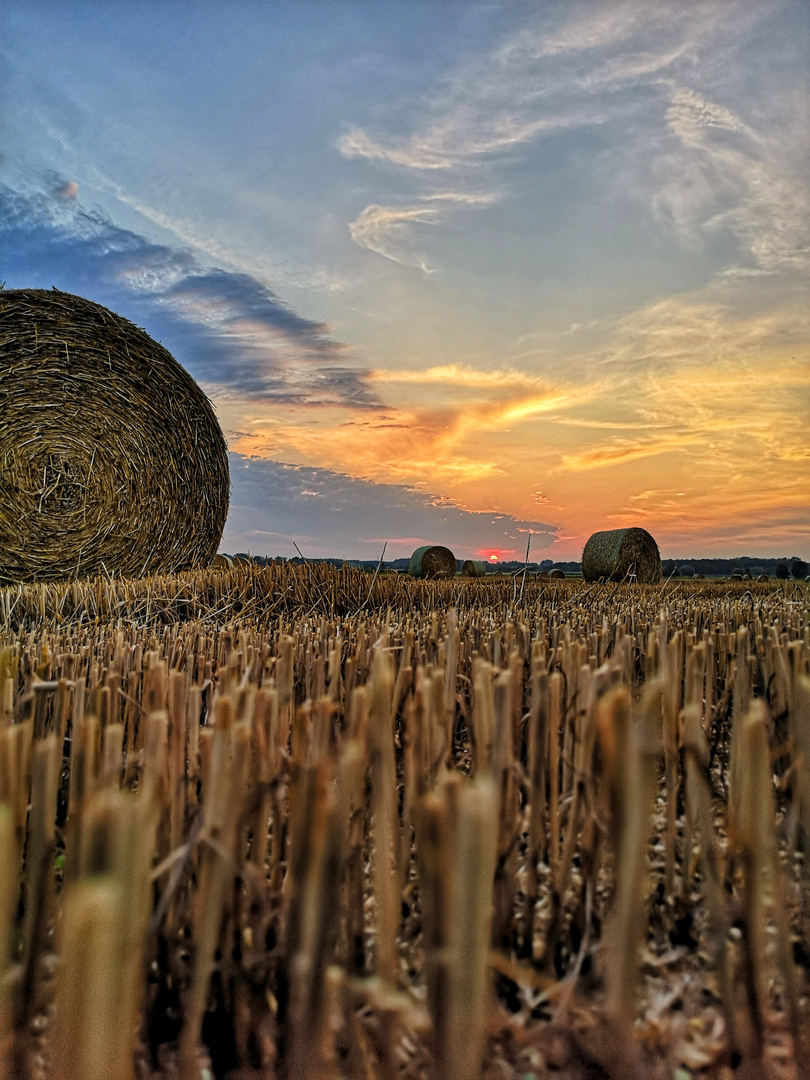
(111, 455)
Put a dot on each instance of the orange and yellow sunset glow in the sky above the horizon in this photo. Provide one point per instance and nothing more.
(692, 426)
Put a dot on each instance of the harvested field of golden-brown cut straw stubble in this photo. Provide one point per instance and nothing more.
(281, 822)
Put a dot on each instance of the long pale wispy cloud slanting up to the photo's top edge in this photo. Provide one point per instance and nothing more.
(541, 82)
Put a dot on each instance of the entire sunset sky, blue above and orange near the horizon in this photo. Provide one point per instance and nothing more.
(478, 274)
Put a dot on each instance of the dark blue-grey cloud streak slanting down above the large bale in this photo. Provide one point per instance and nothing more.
(232, 332)
